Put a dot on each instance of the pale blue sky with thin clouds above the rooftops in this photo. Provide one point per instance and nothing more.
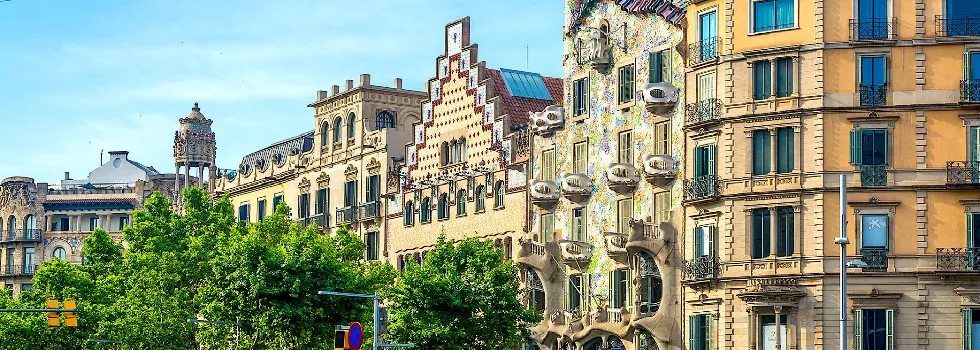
(77, 77)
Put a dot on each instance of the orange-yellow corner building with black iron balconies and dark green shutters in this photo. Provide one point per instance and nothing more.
(784, 97)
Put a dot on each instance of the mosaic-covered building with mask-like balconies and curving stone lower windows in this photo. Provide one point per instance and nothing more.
(603, 261)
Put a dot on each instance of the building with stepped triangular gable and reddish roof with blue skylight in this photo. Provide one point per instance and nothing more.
(465, 171)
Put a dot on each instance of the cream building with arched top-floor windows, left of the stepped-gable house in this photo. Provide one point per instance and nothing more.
(335, 174)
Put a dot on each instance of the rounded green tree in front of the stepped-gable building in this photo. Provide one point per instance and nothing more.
(463, 296)
